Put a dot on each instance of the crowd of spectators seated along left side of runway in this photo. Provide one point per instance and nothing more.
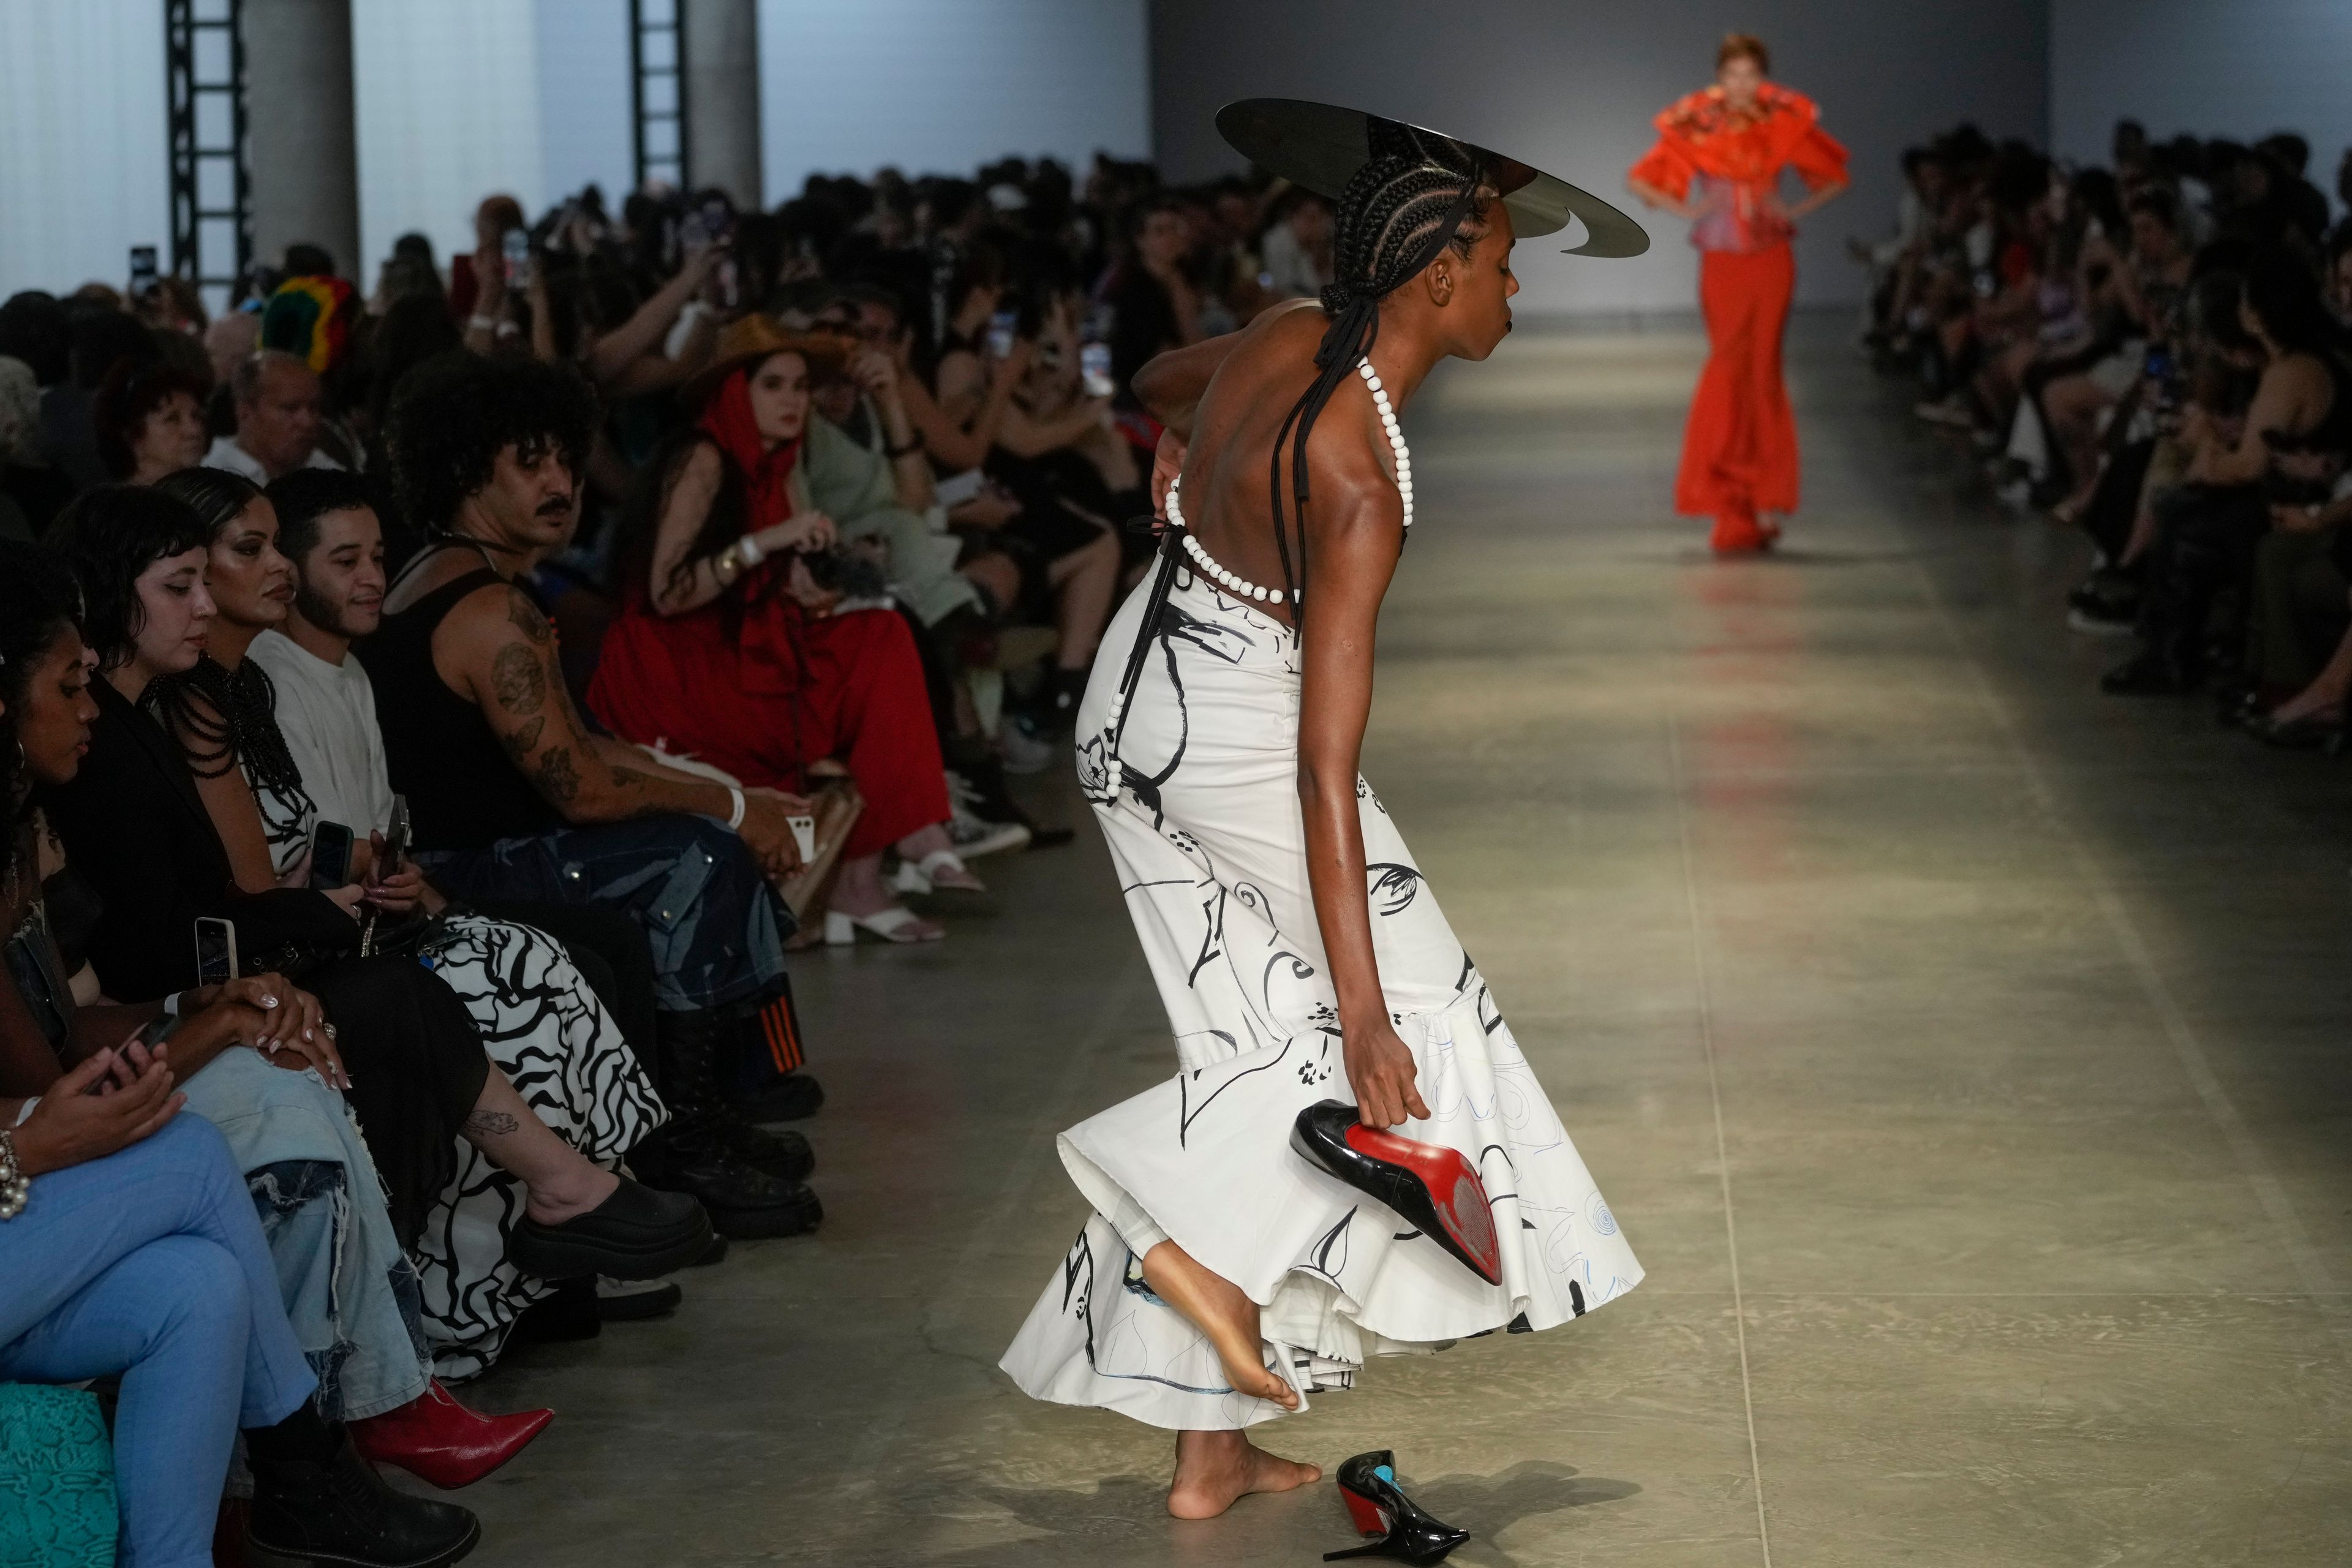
(434, 713)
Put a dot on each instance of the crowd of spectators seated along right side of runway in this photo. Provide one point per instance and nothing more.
(2160, 354)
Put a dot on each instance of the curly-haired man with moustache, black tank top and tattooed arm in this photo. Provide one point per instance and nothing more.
(514, 796)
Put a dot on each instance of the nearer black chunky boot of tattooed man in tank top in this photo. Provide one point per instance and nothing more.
(733, 1170)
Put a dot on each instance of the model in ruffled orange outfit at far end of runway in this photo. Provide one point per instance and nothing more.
(1718, 163)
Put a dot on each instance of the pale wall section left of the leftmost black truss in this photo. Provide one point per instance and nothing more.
(83, 161)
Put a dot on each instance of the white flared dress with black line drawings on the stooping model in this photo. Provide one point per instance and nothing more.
(1205, 829)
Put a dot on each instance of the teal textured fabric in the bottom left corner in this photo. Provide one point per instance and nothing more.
(58, 1480)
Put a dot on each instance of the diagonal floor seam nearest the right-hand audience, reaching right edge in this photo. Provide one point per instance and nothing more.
(2179, 1033)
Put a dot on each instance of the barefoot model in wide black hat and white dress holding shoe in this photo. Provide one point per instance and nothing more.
(1224, 1275)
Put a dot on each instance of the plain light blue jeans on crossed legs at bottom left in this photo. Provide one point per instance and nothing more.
(152, 1264)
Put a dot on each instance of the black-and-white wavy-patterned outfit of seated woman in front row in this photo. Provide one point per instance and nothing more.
(570, 1064)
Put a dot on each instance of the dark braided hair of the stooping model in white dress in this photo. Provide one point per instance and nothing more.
(1415, 196)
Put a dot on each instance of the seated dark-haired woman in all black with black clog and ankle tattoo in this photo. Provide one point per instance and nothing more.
(140, 826)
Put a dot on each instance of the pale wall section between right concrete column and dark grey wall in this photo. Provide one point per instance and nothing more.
(944, 86)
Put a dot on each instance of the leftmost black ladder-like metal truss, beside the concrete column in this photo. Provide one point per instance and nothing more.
(213, 189)
